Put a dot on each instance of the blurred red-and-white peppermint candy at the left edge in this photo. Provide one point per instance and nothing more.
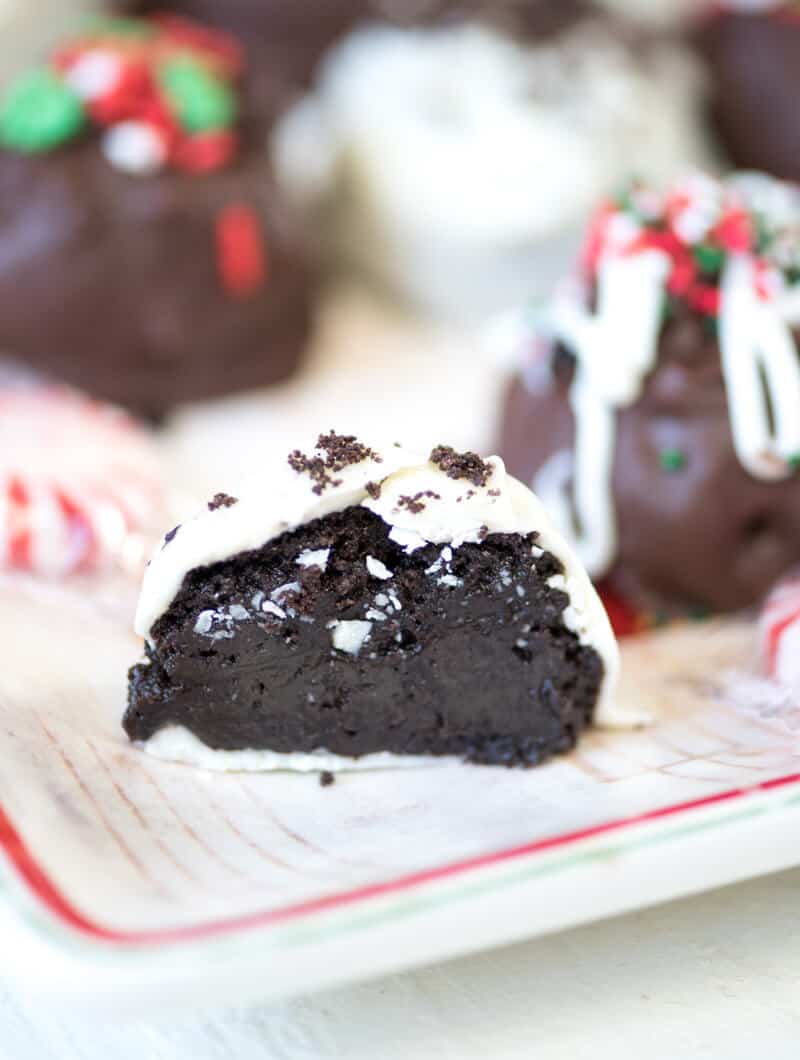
(80, 484)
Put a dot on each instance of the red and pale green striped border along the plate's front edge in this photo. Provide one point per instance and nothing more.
(34, 892)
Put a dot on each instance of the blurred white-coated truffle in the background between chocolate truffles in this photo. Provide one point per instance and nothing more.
(457, 163)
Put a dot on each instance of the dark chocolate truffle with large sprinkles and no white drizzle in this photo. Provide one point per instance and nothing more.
(145, 143)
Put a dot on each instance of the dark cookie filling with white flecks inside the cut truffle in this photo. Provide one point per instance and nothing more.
(479, 666)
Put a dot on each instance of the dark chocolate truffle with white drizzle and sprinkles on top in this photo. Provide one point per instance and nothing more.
(660, 419)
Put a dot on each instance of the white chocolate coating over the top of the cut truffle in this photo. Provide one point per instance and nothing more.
(454, 513)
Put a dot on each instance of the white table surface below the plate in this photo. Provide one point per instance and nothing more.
(716, 977)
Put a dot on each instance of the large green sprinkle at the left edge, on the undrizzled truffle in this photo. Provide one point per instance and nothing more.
(40, 113)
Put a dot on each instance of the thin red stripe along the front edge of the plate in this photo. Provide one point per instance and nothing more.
(47, 892)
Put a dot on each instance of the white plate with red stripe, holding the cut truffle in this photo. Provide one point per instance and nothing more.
(137, 884)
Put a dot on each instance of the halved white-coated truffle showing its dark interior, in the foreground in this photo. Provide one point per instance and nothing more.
(326, 624)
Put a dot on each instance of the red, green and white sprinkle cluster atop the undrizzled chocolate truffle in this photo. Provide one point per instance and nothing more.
(163, 92)
